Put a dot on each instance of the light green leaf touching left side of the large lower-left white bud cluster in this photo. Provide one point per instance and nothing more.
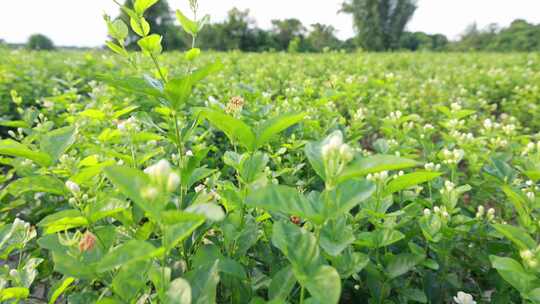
(131, 182)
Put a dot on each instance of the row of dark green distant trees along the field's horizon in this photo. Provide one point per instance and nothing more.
(380, 25)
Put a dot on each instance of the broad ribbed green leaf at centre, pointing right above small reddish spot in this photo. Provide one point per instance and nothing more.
(283, 199)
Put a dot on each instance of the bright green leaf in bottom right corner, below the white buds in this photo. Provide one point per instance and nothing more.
(513, 273)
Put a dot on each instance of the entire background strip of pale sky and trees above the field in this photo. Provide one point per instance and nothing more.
(296, 26)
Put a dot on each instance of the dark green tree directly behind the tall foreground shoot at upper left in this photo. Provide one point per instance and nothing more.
(161, 20)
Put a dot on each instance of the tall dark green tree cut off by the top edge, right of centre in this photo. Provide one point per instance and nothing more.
(380, 23)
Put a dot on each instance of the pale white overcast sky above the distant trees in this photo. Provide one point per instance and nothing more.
(79, 22)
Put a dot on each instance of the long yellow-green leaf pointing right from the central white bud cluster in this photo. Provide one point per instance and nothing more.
(374, 164)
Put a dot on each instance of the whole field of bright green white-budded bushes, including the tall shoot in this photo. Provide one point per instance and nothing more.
(267, 178)
